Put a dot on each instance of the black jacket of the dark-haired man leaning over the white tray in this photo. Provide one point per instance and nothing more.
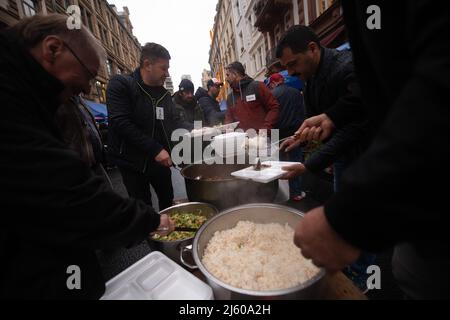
(334, 90)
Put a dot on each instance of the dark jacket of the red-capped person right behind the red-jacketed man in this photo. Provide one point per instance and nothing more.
(292, 109)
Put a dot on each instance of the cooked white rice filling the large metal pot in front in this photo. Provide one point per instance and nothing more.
(260, 257)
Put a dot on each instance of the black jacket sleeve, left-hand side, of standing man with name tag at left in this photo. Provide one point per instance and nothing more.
(119, 102)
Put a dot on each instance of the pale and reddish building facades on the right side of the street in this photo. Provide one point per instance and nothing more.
(260, 24)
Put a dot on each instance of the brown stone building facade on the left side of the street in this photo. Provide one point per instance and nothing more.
(111, 27)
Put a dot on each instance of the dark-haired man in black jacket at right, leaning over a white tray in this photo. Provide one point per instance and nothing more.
(332, 91)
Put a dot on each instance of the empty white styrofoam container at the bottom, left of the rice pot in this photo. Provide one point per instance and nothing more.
(156, 277)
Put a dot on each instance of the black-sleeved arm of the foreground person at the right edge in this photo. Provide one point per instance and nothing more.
(390, 194)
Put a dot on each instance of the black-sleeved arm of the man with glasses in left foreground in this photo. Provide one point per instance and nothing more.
(51, 197)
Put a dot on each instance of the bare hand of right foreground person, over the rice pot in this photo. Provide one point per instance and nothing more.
(320, 243)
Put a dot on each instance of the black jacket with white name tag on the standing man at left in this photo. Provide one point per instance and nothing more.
(135, 134)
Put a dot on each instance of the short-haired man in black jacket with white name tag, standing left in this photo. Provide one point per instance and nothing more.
(142, 118)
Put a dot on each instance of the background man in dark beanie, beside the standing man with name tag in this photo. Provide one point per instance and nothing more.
(186, 105)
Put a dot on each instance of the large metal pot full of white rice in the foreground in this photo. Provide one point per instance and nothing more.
(248, 253)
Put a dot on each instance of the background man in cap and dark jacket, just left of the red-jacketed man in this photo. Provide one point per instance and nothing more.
(210, 106)
